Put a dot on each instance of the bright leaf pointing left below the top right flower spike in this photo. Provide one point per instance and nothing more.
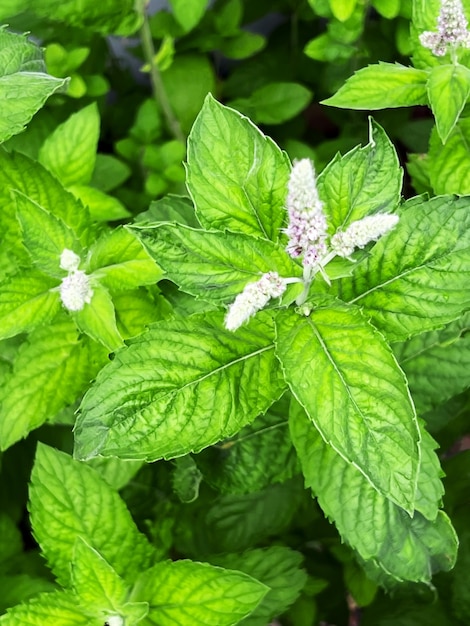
(382, 86)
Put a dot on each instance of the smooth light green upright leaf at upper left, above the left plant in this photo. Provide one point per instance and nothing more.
(70, 151)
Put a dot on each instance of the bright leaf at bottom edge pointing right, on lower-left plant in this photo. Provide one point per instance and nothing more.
(188, 593)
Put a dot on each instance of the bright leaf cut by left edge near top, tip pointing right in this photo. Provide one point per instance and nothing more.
(24, 84)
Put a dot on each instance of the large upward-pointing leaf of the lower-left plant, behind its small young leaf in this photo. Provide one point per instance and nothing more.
(95, 512)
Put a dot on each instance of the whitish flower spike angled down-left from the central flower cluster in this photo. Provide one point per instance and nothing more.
(253, 298)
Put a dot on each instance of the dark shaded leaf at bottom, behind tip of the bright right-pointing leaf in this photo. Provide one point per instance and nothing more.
(278, 568)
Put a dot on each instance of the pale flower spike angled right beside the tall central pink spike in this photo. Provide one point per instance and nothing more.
(360, 233)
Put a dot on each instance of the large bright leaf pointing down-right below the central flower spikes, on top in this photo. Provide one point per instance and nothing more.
(361, 407)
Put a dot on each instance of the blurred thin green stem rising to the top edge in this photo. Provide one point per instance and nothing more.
(158, 89)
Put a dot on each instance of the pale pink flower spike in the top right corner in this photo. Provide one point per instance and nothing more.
(452, 29)
